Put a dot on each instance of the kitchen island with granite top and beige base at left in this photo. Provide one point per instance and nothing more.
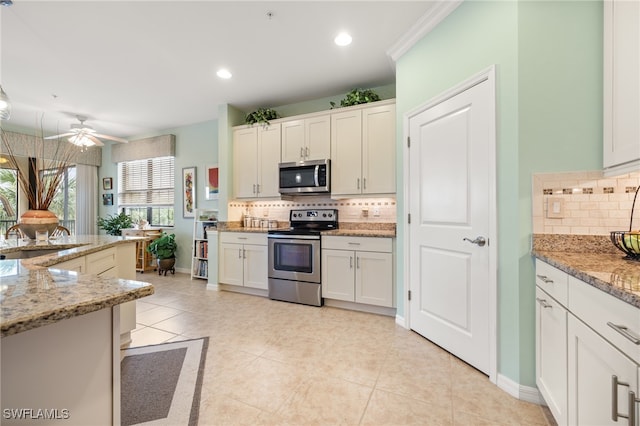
(61, 329)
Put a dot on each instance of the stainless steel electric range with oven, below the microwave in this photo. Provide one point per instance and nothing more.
(294, 256)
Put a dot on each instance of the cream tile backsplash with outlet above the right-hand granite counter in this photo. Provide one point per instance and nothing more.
(584, 203)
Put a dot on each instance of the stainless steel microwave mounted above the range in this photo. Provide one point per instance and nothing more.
(305, 177)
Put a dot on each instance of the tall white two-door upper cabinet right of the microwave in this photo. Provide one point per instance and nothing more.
(363, 151)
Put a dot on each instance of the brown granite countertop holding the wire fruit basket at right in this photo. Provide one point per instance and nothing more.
(594, 260)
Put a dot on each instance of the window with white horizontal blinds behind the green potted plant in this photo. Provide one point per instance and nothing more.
(146, 189)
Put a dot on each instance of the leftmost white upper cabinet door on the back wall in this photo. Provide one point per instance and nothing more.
(245, 162)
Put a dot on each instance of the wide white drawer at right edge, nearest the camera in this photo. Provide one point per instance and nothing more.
(598, 309)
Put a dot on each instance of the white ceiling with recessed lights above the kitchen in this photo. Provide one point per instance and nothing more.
(138, 67)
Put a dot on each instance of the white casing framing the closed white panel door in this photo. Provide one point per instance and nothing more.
(488, 75)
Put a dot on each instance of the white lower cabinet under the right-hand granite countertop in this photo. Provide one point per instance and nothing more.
(587, 351)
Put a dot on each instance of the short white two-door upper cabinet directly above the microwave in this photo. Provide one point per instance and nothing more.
(306, 139)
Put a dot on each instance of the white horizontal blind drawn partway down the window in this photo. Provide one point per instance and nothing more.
(147, 182)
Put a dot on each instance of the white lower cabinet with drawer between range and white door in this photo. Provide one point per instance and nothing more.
(358, 269)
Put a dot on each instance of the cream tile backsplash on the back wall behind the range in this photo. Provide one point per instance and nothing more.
(374, 210)
